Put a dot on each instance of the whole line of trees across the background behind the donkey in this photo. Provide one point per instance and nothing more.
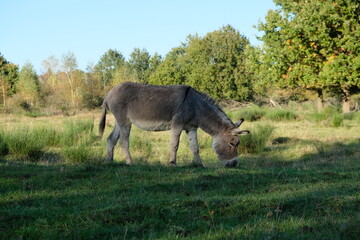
(308, 46)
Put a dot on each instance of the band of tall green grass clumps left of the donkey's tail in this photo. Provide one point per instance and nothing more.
(74, 139)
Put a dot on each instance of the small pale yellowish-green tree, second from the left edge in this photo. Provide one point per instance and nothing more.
(28, 86)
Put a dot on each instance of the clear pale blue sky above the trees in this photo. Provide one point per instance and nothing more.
(33, 30)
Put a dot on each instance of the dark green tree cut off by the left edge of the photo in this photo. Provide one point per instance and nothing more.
(8, 78)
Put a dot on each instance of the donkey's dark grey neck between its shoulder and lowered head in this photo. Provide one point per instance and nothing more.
(215, 120)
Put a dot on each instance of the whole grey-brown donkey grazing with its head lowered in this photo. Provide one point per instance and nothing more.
(176, 108)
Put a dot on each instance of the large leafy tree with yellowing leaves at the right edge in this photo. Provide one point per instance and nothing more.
(314, 45)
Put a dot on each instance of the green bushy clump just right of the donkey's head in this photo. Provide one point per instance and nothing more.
(255, 142)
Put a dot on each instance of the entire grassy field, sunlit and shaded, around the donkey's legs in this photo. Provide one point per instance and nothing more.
(298, 178)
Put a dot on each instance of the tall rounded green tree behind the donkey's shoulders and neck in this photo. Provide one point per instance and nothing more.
(216, 64)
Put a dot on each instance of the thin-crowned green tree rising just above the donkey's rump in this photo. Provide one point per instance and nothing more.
(107, 65)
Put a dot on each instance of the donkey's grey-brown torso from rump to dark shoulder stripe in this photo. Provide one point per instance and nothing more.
(149, 107)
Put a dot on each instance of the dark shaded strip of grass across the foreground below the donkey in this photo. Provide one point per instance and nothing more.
(269, 199)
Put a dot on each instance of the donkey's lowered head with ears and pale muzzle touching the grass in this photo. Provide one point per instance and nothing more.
(226, 144)
